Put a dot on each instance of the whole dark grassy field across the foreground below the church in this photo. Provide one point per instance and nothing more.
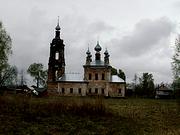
(73, 115)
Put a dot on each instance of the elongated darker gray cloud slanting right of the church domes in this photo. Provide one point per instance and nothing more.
(146, 35)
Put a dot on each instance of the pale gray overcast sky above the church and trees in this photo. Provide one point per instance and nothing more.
(139, 34)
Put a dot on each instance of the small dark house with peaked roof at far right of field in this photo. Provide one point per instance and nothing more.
(163, 91)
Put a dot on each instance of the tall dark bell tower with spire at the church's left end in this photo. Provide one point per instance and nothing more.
(56, 65)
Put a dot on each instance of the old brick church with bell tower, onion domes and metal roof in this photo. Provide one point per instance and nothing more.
(96, 80)
